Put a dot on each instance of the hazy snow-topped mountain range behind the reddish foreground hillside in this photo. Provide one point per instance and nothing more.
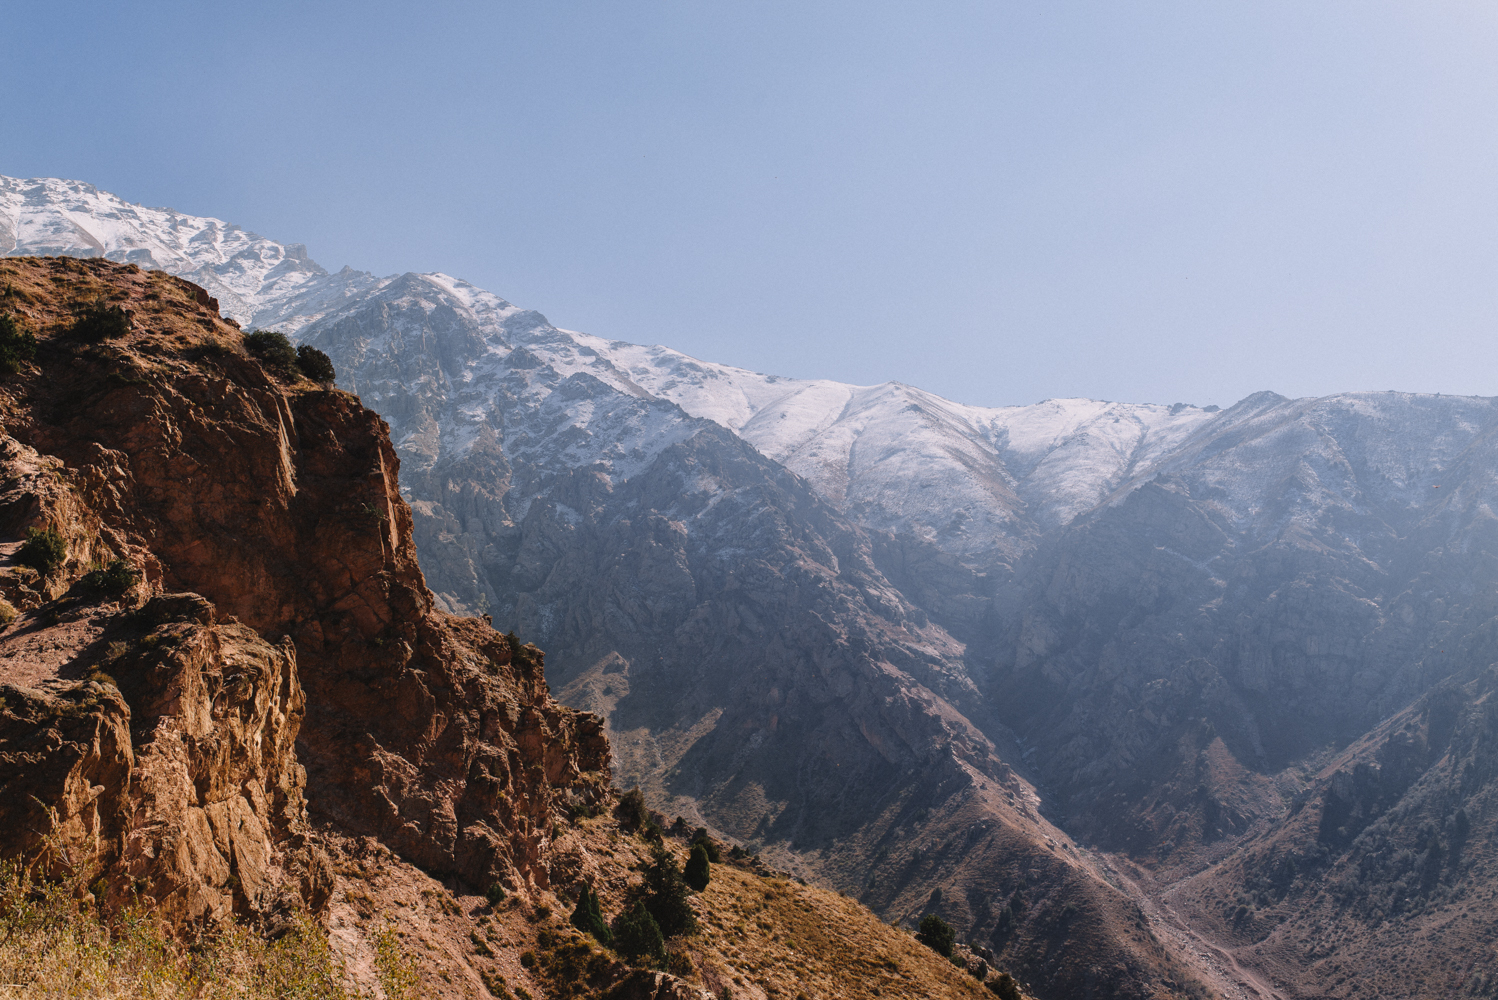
(1150, 698)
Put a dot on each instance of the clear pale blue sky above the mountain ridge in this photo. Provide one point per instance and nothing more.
(1000, 203)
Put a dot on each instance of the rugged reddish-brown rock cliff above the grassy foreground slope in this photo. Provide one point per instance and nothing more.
(279, 505)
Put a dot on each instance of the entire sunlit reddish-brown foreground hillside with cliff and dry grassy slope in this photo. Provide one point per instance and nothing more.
(336, 745)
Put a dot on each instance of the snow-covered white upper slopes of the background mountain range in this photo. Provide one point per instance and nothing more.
(977, 481)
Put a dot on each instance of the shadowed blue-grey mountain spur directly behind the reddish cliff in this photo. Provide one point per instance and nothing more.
(757, 668)
